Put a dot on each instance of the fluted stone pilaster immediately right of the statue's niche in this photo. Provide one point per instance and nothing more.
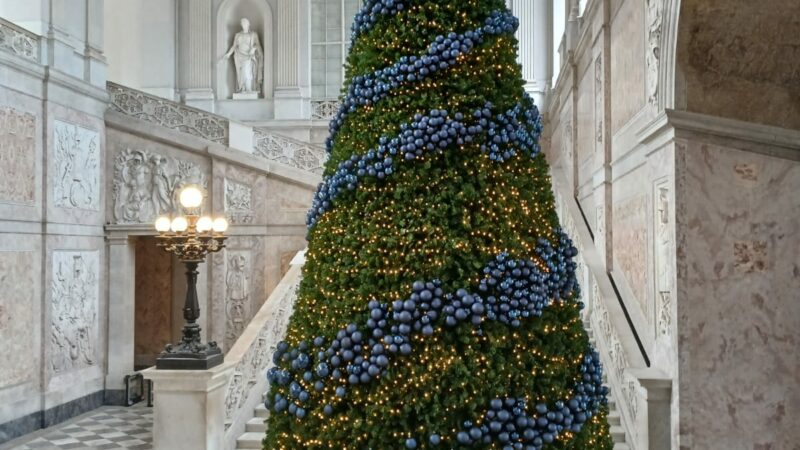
(289, 102)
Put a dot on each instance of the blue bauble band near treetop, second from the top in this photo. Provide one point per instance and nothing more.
(441, 54)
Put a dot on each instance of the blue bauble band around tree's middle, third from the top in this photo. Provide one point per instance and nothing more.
(433, 133)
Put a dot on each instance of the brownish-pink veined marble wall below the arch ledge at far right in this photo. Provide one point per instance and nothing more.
(739, 276)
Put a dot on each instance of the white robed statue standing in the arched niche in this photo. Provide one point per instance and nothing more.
(248, 59)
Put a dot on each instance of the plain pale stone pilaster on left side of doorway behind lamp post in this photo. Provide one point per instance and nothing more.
(121, 313)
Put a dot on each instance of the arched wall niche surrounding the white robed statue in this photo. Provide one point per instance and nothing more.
(228, 18)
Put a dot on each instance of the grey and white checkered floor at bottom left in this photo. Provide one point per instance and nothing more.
(103, 428)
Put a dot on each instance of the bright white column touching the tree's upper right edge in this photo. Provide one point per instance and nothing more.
(535, 37)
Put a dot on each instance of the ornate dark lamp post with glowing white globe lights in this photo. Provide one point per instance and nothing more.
(191, 237)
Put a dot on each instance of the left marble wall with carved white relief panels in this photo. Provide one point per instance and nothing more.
(53, 298)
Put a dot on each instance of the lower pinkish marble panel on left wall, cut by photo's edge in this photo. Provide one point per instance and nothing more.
(16, 317)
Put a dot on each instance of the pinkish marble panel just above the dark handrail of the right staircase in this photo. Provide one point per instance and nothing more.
(629, 237)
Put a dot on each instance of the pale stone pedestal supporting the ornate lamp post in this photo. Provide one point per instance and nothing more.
(189, 408)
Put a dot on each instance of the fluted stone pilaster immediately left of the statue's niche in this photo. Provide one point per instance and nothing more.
(195, 65)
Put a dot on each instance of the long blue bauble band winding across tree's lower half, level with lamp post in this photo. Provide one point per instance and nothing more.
(510, 291)
